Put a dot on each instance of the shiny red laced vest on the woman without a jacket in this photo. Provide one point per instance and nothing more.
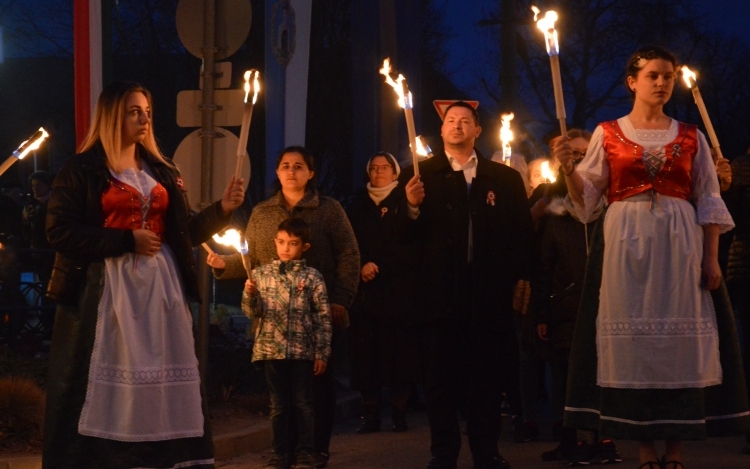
(627, 171)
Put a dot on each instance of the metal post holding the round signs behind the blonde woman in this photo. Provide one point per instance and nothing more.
(207, 136)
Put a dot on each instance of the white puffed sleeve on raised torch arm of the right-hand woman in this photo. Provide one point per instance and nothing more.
(594, 169)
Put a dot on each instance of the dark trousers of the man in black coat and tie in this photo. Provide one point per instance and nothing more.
(466, 367)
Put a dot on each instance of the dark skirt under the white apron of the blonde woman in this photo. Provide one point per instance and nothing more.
(70, 358)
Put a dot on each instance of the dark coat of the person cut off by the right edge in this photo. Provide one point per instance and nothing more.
(737, 199)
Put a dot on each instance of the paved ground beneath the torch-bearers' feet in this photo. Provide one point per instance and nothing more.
(411, 450)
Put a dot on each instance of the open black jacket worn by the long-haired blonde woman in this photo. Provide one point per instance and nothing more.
(75, 223)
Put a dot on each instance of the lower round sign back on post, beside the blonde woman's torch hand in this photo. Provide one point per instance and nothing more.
(188, 160)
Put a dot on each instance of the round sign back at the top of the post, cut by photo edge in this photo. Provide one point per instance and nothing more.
(233, 20)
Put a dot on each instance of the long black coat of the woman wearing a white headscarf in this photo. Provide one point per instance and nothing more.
(381, 347)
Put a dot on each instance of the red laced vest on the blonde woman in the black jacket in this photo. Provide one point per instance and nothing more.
(121, 205)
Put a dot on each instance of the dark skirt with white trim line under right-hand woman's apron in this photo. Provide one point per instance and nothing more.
(652, 414)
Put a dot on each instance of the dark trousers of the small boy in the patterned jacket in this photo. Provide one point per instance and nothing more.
(290, 386)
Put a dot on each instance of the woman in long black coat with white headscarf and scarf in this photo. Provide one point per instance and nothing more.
(381, 350)
